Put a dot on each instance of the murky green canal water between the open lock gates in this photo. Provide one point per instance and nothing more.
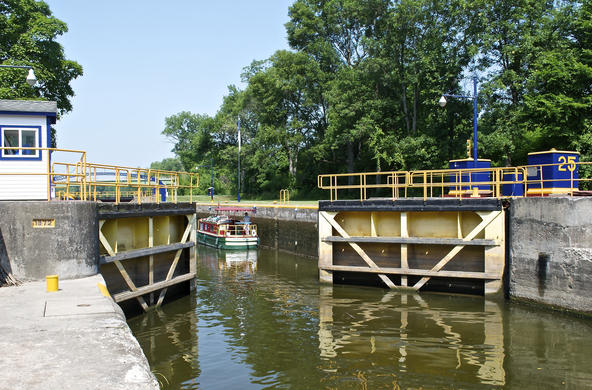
(261, 320)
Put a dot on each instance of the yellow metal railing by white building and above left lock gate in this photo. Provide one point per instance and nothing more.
(81, 180)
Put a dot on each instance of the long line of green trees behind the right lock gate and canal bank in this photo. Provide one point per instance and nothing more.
(359, 87)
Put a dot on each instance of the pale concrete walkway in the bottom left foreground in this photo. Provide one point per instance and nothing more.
(74, 338)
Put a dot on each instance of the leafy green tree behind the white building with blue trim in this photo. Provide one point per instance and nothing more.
(28, 33)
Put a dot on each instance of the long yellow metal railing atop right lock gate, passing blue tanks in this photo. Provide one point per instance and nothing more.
(528, 180)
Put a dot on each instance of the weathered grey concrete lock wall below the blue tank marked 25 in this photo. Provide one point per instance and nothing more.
(550, 252)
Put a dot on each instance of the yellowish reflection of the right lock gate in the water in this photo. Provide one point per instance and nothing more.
(433, 339)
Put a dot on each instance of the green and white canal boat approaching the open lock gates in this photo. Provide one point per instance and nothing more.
(224, 232)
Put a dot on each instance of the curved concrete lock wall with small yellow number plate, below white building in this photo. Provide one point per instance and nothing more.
(44, 238)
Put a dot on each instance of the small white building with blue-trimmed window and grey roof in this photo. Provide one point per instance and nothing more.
(24, 172)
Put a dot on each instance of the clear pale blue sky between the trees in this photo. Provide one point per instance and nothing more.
(146, 60)
